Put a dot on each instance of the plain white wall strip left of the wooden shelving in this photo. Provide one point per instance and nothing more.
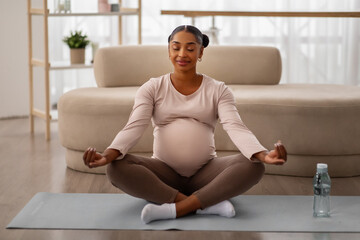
(14, 87)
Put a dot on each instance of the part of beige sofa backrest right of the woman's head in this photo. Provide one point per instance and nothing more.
(242, 65)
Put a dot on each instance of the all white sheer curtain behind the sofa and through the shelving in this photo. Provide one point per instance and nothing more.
(314, 50)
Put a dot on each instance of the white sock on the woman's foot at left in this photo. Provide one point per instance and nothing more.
(153, 212)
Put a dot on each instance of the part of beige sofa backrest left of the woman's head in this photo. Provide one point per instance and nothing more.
(140, 62)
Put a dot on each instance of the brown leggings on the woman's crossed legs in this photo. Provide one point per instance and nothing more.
(151, 179)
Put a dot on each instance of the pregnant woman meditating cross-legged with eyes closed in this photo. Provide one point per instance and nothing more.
(184, 175)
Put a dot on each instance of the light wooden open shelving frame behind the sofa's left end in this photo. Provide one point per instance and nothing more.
(45, 63)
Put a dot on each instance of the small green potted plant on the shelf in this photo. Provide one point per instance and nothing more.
(77, 41)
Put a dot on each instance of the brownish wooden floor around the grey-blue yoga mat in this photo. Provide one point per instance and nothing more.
(29, 164)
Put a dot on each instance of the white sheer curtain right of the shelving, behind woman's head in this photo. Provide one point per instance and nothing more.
(314, 50)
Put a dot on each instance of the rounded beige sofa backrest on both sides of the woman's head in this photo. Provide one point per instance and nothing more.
(249, 65)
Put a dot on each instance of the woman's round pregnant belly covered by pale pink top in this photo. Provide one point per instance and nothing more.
(185, 145)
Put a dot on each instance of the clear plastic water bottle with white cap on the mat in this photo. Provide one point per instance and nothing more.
(322, 186)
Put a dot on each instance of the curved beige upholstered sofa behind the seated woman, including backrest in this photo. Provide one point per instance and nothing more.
(317, 123)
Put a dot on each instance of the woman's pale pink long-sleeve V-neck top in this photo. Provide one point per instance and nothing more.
(184, 124)
